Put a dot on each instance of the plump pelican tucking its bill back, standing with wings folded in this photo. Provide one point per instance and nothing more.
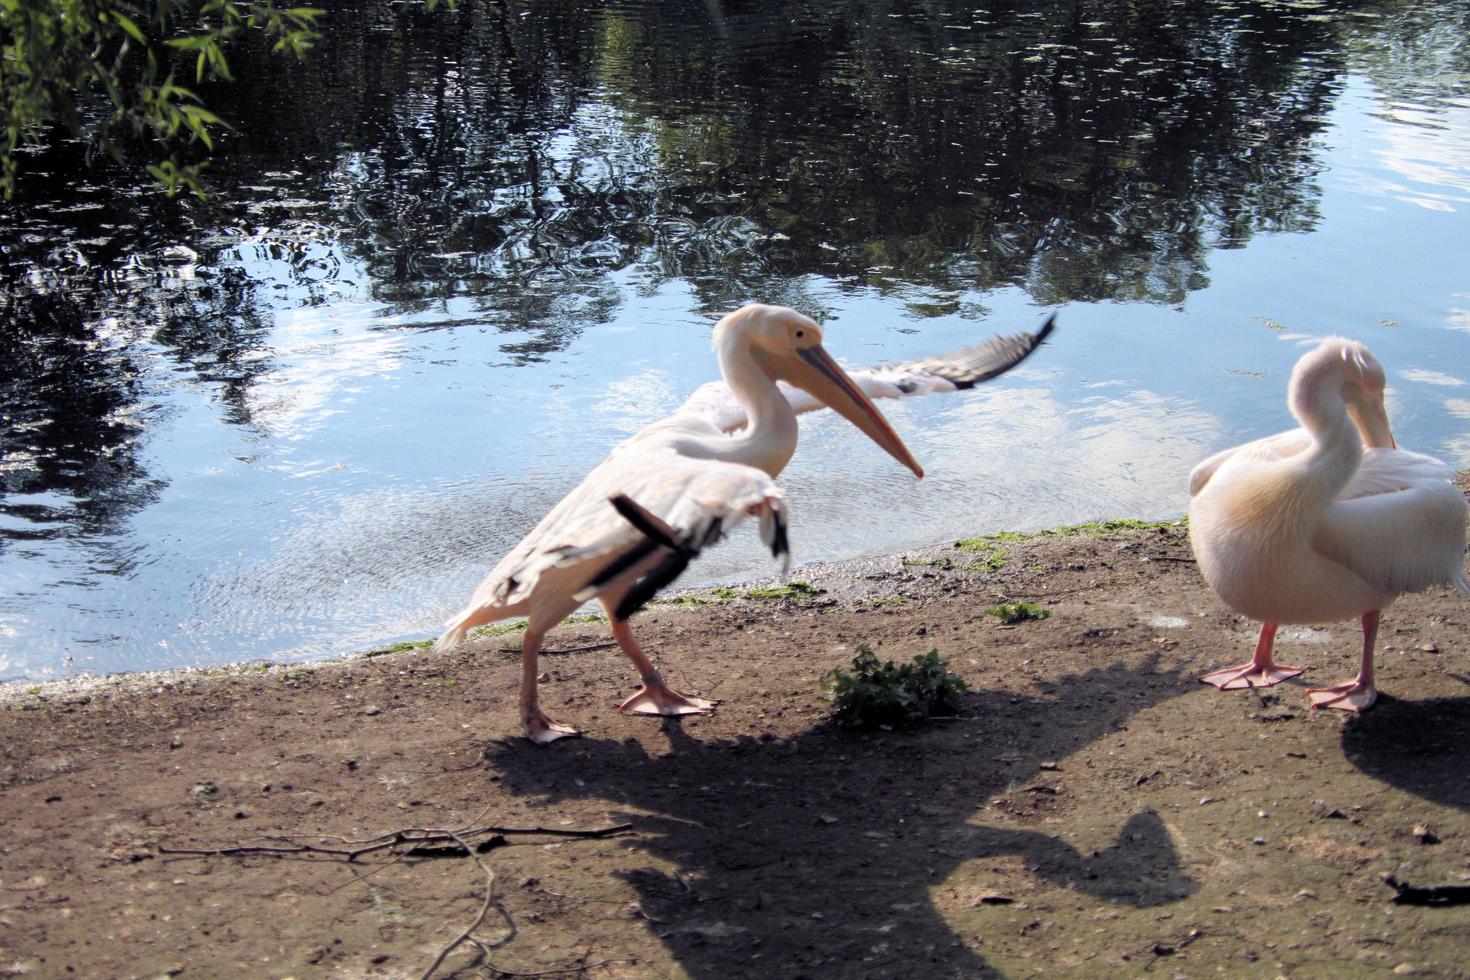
(1327, 522)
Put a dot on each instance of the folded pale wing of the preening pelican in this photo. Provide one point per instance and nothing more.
(1400, 524)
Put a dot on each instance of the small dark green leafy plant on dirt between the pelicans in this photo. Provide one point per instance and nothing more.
(887, 694)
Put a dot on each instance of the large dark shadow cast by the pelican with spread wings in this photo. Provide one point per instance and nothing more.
(820, 854)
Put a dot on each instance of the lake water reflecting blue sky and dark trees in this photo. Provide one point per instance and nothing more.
(455, 258)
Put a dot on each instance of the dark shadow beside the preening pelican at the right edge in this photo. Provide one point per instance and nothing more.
(1415, 746)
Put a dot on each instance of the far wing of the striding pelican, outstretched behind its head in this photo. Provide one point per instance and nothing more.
(956, 371)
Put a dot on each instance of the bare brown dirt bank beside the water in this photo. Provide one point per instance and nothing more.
(1094, 809)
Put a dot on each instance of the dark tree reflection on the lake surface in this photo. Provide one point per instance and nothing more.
(526, 167)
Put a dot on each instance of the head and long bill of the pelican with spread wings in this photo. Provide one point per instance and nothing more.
(787, 346)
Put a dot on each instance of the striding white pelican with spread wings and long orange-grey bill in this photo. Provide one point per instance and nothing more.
(674, 489)
